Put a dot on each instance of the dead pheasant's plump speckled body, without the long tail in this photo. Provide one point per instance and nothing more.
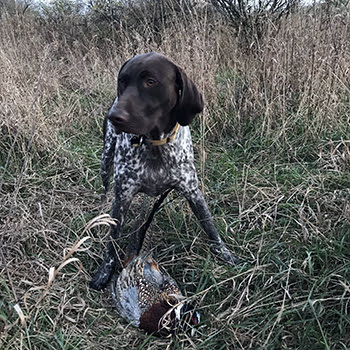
(144, 293)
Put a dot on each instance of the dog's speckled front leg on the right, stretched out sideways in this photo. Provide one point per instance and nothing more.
(200, 209)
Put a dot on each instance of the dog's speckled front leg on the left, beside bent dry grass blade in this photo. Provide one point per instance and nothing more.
(120, 206)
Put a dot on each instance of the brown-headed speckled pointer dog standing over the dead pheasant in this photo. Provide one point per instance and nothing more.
(148, 147)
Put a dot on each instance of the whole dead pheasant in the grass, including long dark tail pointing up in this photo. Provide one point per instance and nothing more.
(146, 295)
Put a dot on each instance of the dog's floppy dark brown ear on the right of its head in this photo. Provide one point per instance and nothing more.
(190, 101)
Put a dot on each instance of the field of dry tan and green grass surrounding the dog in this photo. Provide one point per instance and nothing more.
(273, 157)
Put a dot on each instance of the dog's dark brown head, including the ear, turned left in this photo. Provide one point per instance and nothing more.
(153, 94)
